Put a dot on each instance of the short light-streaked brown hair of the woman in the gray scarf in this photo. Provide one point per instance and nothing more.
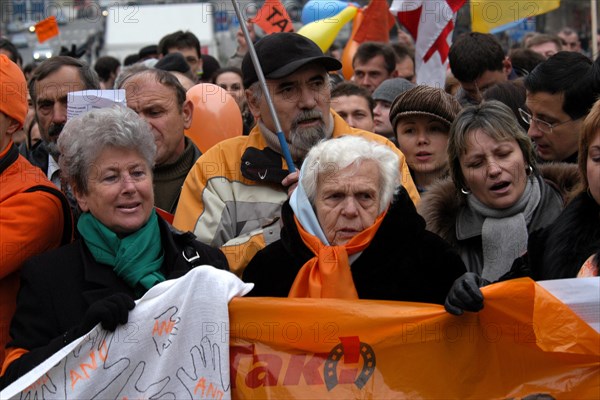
(494, 119)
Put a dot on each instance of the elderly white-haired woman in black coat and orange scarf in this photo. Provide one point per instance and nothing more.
(350, 231)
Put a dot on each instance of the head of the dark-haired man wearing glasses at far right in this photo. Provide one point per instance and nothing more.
(560, 93)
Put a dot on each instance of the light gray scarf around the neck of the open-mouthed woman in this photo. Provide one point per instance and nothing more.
(504, 232)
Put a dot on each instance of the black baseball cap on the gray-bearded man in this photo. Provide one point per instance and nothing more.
(280, 54)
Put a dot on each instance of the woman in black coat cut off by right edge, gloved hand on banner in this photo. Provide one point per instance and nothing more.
(567, 248)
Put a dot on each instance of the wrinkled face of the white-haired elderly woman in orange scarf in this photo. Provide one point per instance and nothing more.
(347, 202)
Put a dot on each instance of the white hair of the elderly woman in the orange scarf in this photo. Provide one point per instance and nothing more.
(331, 156)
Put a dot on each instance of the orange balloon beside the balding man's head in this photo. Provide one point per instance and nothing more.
(216, 116)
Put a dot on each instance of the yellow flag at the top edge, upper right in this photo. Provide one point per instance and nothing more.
(489, 14)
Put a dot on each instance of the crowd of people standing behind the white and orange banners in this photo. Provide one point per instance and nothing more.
(397, 191)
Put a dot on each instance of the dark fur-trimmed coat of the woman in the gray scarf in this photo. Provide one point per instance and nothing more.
(442, 204)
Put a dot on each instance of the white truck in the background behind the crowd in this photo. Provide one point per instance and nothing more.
(128, 27)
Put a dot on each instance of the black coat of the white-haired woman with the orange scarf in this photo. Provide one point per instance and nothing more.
(403, 262)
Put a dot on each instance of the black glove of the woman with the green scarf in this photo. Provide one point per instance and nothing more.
(110, 312)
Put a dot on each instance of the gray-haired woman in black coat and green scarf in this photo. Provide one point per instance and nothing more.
(124, 248)
